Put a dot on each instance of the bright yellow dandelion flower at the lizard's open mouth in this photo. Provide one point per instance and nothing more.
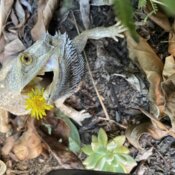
(37, 104)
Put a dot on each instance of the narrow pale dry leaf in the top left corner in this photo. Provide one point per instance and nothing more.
(5, 9)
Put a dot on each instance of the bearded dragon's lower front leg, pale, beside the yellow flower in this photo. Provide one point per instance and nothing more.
(77, 116)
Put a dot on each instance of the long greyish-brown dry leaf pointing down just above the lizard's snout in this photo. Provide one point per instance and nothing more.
(45, 12)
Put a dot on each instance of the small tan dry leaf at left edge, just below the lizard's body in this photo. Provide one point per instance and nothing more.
(4, 121)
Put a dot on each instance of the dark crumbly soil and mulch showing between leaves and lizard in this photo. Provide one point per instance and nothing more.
(110, 66)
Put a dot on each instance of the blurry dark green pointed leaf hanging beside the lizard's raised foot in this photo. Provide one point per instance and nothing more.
(124, 12)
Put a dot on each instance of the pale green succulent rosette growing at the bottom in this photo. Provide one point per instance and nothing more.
(104, 156)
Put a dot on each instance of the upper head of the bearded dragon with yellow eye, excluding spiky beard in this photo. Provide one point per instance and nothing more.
(27, 65)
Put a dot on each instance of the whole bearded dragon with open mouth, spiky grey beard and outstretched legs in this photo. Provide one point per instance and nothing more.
(57, 54)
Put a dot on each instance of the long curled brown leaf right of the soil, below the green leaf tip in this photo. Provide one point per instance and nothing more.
(145, 57)
